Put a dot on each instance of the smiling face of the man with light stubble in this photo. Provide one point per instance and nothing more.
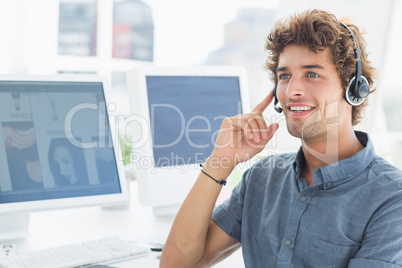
(310, 92)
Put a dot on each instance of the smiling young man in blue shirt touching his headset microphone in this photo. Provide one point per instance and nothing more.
(334, 203)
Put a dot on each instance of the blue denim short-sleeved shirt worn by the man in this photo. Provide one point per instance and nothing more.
(350, 217)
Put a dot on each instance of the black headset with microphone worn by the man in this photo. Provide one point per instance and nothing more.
(358, 88)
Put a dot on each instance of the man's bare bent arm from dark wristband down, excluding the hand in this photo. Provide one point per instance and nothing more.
(195, 240)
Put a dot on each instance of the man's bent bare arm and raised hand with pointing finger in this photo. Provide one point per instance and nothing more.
(195, 240)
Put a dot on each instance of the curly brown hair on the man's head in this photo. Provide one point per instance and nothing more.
(317, 30)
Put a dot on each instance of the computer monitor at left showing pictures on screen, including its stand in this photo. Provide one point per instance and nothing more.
(57, 148)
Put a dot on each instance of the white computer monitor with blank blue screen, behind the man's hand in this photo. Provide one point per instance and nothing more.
(176, 115)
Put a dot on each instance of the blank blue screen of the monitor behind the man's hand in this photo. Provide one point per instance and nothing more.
(185, 114)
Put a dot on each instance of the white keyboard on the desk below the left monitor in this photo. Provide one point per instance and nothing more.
(86, 254)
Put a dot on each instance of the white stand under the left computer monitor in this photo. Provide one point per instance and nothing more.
(14, 226)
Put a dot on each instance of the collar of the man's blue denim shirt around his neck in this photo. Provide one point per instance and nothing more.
(340, 171)
